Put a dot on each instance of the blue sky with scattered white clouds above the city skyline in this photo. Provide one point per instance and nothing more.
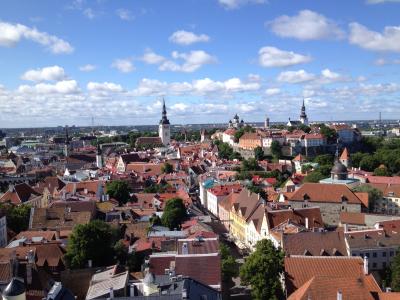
(66, 62)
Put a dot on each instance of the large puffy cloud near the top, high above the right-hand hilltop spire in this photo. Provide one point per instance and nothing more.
(307, 25)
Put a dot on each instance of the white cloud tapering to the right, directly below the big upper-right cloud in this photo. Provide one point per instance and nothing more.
(274, 57)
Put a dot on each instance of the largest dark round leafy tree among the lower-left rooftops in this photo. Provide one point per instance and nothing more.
(93, 241)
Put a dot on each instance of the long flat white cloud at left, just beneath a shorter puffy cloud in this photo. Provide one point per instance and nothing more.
(61, 87)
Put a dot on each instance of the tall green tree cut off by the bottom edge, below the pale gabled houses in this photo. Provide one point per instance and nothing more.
(262, 270)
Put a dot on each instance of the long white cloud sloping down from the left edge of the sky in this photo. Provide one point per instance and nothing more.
(11, 34)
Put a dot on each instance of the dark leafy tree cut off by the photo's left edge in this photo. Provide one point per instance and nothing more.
(17, 216)
